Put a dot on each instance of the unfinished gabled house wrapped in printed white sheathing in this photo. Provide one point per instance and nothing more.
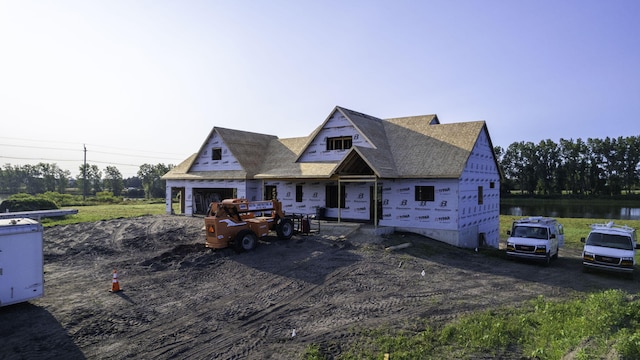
(408, 174)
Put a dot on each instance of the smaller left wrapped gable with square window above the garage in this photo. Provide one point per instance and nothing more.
(215, 155)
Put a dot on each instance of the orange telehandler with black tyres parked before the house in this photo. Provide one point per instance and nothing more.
(235, 221)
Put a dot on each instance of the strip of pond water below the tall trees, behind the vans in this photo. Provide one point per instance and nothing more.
(581, 210)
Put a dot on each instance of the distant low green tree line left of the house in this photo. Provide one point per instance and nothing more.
(45, 177)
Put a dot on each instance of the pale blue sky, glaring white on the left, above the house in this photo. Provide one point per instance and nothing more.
(145, 81)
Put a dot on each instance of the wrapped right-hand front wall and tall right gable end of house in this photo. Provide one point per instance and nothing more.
(457, 215)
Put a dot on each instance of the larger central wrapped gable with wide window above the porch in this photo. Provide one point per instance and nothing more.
(333, 139)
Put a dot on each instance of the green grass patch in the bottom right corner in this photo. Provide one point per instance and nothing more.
(541, 329)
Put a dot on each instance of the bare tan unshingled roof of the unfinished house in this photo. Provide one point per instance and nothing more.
(408, 147)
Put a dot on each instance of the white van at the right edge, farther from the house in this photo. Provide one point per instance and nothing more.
(610, 247)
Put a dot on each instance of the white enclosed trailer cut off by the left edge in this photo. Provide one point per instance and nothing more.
(21, 261)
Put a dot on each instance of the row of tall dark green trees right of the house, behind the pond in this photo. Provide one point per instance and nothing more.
(600, 167)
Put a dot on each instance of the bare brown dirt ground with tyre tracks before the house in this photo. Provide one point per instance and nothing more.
(181, 300)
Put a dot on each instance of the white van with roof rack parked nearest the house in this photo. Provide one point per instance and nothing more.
(536, 238)
